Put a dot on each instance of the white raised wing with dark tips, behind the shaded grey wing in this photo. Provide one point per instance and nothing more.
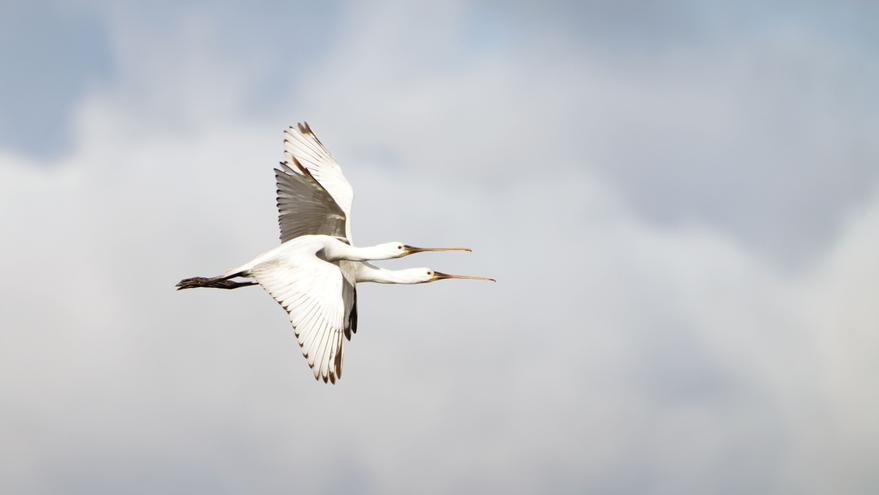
(301, 143)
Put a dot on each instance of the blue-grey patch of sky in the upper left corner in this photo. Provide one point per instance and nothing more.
(50, 55)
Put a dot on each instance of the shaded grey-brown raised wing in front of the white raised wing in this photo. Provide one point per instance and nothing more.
(304, 206)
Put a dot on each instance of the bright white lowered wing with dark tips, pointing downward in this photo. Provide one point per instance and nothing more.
(320, 307)
